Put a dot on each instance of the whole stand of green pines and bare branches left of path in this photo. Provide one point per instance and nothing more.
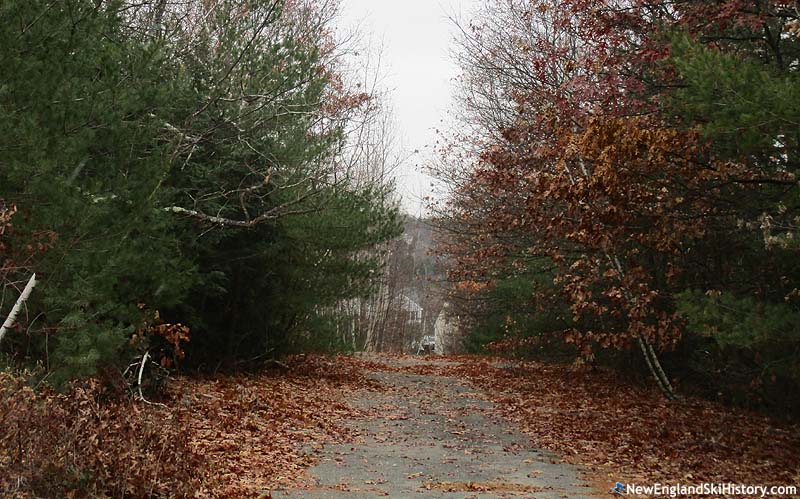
(182, 163)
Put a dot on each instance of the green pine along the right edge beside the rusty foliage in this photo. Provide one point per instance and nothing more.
(745, 100)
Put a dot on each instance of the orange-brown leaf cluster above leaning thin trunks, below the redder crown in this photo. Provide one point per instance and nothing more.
(607, 205)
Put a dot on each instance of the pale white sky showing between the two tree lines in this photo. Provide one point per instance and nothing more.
(416, 38)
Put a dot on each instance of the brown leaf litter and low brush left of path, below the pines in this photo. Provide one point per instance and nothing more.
(227, 437)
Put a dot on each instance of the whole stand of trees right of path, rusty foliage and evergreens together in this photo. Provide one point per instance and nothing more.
(631, 167)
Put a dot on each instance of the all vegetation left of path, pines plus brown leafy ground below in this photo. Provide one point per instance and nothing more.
(196, 186)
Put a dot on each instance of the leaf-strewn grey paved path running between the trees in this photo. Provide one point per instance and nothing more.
(435, 437)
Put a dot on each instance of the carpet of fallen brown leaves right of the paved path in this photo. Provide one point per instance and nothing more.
(602, 421)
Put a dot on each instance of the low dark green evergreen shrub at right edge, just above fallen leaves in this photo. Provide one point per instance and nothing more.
(742, 350)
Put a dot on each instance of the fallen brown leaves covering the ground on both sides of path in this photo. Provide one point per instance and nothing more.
(245, 435)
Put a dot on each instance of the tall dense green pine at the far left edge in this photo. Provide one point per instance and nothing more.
(82, 156)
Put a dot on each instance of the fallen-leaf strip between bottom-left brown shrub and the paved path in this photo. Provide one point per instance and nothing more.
(258, 431)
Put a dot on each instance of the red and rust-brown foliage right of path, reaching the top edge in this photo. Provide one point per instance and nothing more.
(588, 168)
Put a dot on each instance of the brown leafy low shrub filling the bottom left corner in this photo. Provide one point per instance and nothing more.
(85, 443)
